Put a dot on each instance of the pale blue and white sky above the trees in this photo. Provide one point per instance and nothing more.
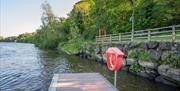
(20, 16)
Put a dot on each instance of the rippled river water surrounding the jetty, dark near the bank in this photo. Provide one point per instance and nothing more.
(23, 67)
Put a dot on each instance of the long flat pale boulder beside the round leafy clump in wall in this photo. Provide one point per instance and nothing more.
(148, 64)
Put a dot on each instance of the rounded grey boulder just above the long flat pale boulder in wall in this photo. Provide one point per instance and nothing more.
(155, 55)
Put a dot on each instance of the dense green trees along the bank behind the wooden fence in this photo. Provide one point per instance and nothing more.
(89, 18)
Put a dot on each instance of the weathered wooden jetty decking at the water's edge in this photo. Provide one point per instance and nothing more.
(80, 82)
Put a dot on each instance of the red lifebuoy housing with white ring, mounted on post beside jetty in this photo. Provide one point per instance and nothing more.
(114, 58)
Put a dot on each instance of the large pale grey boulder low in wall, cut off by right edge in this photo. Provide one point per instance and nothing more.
(172, 73)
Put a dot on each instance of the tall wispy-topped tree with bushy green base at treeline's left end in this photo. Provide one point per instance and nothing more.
(52, 31)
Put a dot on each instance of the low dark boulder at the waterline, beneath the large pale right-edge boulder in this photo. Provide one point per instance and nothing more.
(161, 79)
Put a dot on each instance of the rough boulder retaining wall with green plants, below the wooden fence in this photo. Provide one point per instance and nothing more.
(158, 61)
